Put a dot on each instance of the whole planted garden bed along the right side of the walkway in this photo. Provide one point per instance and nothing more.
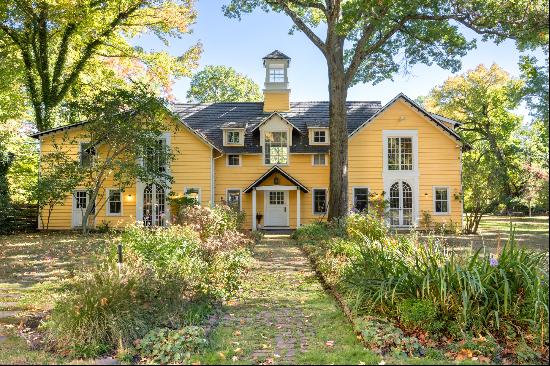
(416, 297)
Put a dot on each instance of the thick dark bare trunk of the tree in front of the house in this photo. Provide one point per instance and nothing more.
(338, 202)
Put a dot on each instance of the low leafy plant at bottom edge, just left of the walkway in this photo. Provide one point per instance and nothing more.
(165, 346)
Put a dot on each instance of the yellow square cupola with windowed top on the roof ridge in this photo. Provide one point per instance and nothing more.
(276, 91)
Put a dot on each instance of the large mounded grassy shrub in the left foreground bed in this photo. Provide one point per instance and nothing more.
(106, 308)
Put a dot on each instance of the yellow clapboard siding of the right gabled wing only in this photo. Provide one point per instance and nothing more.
(438, 158)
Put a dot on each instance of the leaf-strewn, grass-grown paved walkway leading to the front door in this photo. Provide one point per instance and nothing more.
(275, 319)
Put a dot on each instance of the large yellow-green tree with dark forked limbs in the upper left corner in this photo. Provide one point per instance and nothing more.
(53, 42)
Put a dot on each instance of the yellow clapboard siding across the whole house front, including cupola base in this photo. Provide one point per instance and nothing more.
(438, 162)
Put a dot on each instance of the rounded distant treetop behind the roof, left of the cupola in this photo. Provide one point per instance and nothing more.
(216, 84)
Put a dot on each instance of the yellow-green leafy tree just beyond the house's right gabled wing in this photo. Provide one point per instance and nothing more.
(485, 101)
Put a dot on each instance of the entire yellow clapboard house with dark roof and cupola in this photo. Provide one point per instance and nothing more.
(271, 160)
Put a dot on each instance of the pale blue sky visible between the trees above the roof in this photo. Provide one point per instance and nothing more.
(243, 44)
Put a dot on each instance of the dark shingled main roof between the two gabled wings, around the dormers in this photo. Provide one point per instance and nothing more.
(208, 119)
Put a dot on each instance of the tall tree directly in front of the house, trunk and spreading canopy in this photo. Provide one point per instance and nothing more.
(369, 40)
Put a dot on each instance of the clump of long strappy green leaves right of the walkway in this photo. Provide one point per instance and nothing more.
(477, 292)
